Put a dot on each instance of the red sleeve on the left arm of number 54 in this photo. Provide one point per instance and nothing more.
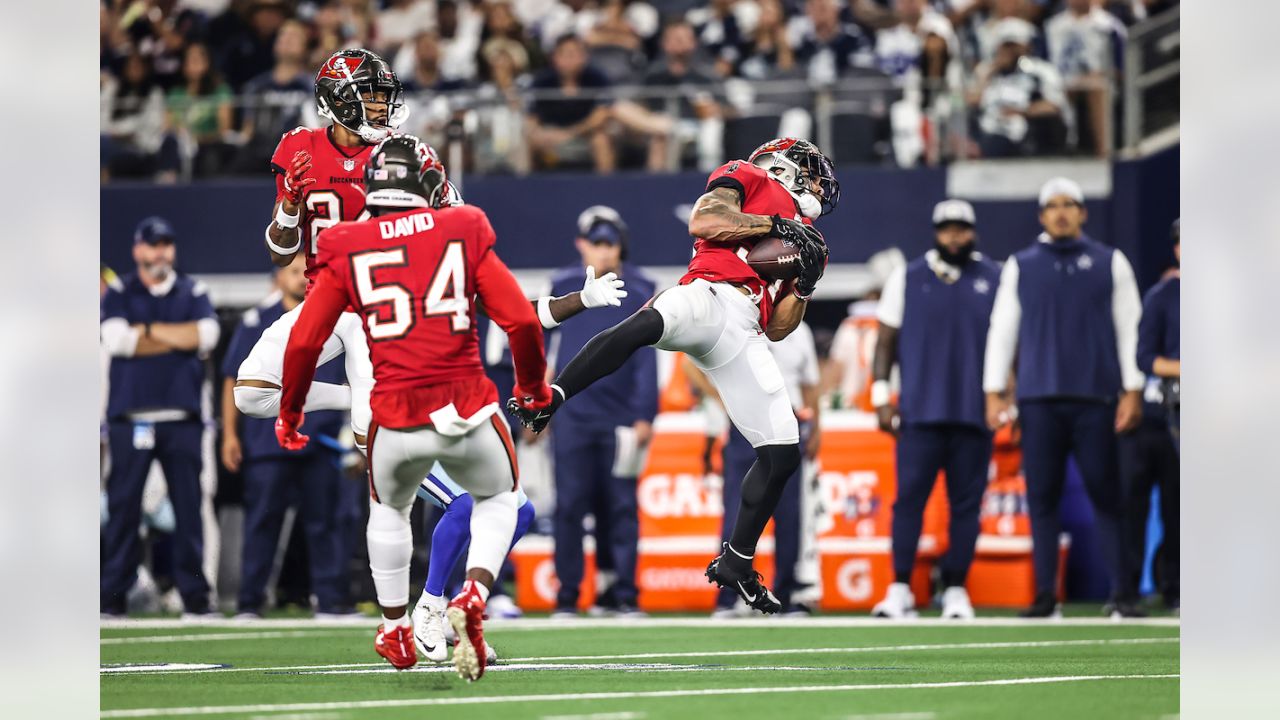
(319, 316)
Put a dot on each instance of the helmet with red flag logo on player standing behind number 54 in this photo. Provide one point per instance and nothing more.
(350, 83)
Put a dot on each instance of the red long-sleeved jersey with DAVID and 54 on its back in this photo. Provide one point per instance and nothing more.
(414, 277)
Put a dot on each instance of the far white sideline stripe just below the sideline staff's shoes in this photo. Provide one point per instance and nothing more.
(665, 623)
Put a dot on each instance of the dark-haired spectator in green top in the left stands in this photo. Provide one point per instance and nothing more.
(202, 113)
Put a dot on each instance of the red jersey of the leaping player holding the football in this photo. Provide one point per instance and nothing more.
(726, 262)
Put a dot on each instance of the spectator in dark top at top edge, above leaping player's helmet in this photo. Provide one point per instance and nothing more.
(826, 45)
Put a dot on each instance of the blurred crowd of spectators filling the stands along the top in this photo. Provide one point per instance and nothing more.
(195, 89)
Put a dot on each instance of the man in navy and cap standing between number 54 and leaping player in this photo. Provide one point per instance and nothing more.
(601, 445)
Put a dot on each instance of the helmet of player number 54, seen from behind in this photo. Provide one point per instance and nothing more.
(405, 172)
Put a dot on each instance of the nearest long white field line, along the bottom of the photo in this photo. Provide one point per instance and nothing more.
(559, 698)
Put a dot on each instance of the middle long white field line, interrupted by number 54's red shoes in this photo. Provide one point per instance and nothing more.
(1012, 645)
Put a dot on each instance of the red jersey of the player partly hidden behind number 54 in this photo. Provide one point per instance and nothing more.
(339, 193)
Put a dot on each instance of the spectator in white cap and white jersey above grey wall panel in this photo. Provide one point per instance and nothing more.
(1020, 98)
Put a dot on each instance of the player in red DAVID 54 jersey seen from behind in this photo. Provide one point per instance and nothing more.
(414, 274)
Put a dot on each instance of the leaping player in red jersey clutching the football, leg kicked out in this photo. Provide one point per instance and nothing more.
(721, 316)
